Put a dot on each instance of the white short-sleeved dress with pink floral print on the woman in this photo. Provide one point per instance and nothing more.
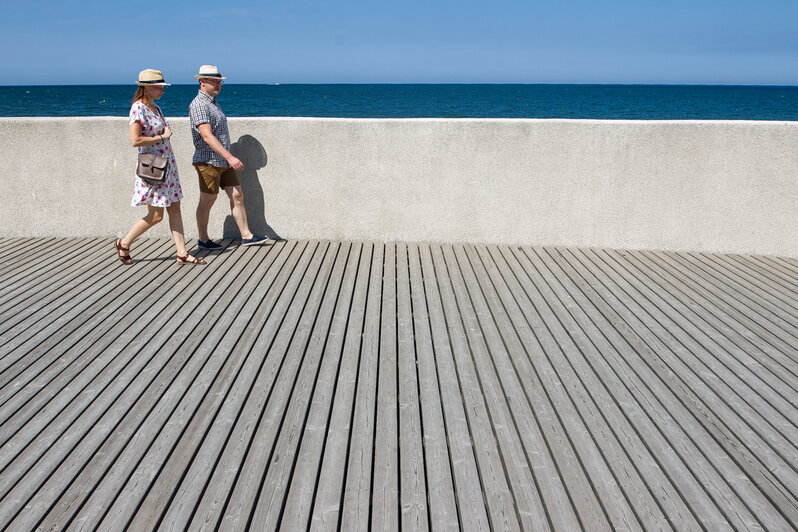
(152, 125)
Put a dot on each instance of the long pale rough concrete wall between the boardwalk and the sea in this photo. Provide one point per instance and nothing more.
(678, 185)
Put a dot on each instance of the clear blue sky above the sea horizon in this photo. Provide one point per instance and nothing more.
(403, 41)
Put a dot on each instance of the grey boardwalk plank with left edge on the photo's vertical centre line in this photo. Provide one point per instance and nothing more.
(412, 480)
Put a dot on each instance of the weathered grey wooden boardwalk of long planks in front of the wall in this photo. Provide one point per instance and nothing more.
(328, 385)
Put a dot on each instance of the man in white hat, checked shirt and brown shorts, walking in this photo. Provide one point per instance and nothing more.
(215, 164)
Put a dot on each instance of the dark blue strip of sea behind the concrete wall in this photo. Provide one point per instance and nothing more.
(631, 102)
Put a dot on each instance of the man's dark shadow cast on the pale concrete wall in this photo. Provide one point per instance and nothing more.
(252, 153)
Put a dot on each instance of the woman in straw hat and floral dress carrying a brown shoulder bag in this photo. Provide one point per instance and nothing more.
(150, 132)
